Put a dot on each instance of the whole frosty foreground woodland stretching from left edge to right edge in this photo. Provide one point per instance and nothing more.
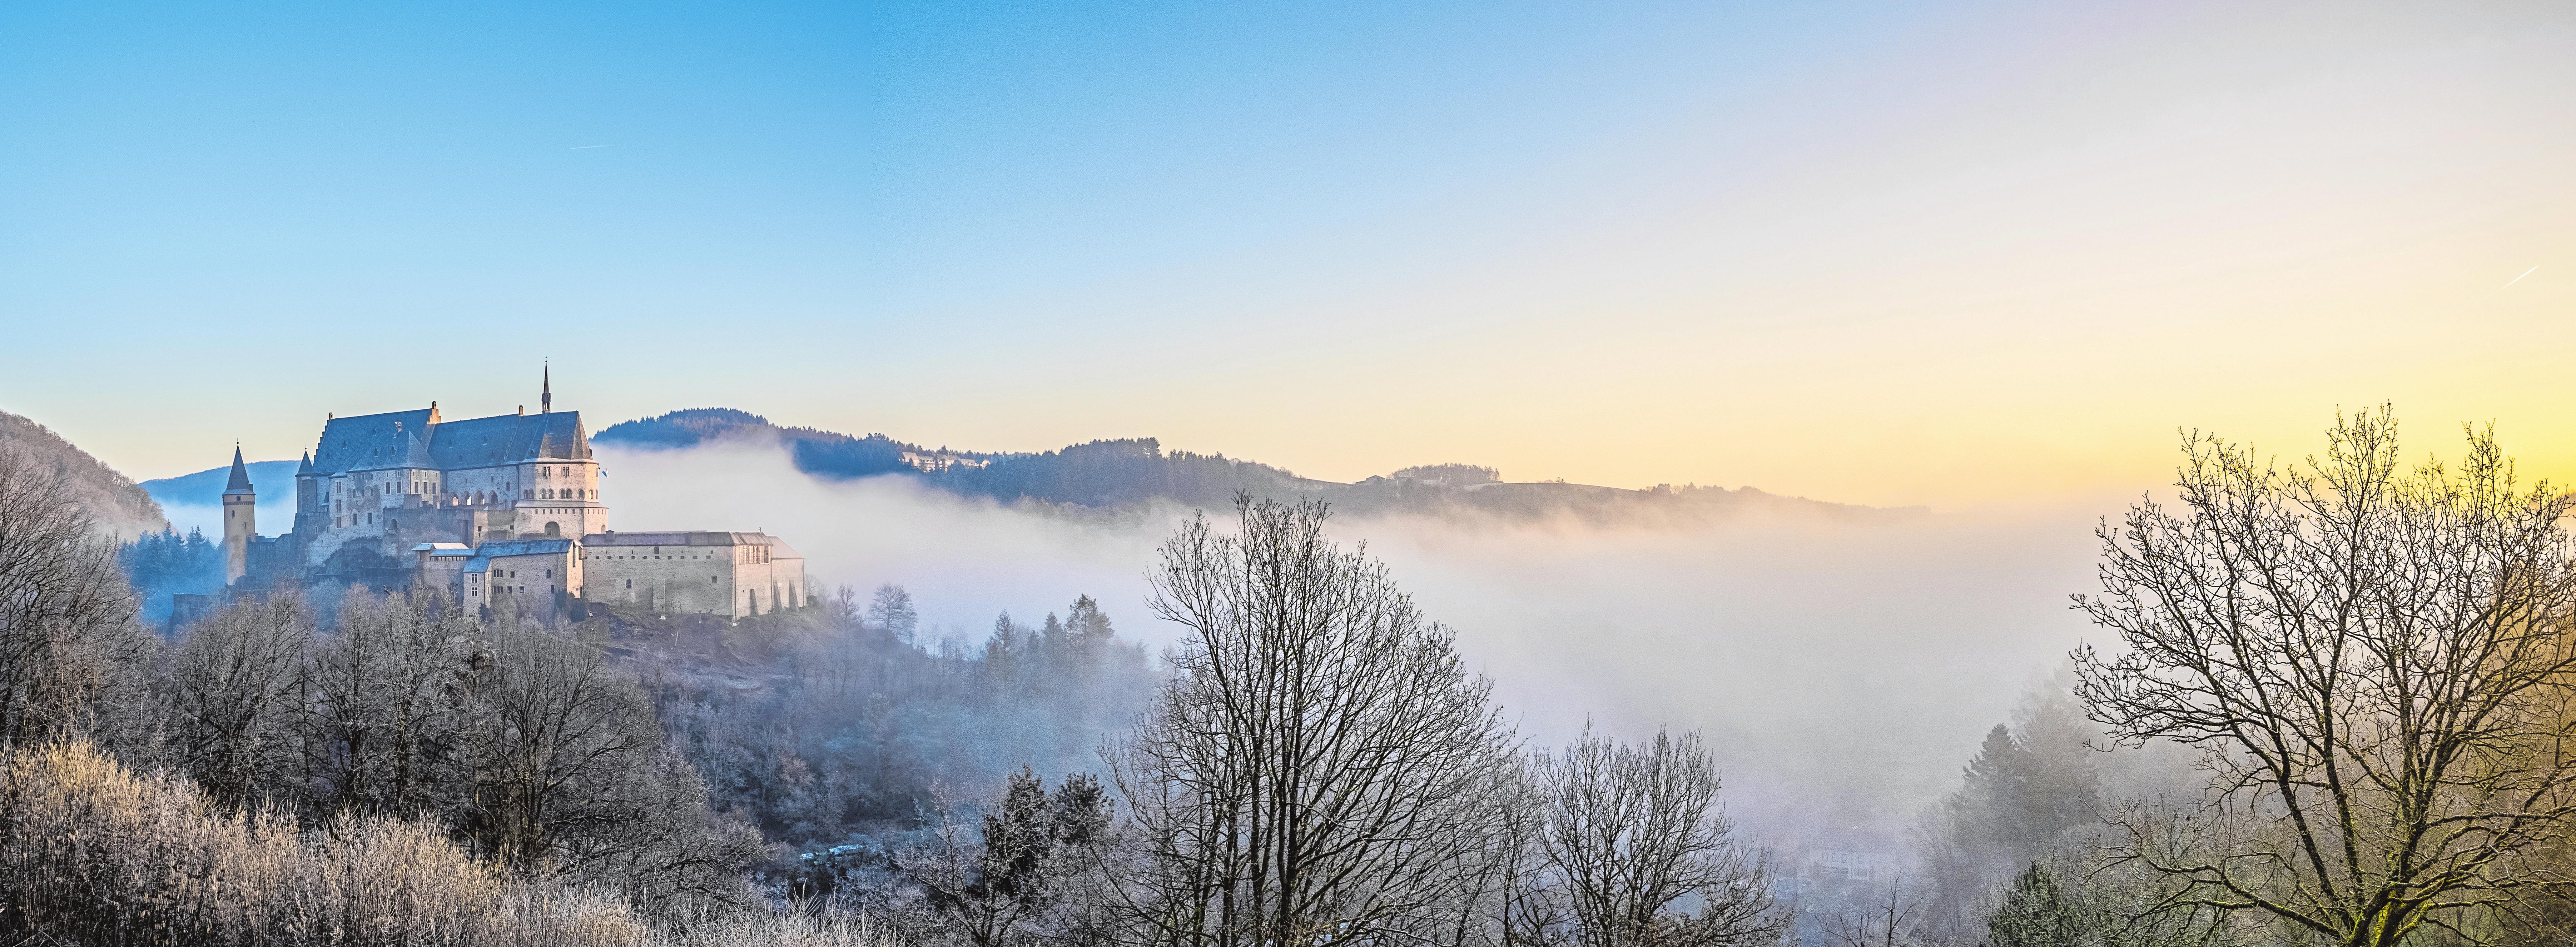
(2325, 709)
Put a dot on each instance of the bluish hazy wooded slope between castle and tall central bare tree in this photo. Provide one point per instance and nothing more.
(862, 727)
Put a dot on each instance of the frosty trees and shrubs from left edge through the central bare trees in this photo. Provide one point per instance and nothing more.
(1312, 766)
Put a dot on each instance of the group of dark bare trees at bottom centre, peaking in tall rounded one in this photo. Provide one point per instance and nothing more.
(1320, 768)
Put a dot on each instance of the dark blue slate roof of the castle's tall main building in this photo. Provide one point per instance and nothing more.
(424, 441)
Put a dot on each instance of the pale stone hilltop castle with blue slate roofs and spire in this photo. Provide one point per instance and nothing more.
(496, 511)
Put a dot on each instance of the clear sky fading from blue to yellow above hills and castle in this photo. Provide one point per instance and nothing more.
(1941, 256)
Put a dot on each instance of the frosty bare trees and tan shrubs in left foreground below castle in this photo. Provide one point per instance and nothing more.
(413, 776)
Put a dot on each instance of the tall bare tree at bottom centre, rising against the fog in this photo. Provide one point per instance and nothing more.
(1315, 766)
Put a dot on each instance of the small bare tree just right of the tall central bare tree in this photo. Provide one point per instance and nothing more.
(1632, 830)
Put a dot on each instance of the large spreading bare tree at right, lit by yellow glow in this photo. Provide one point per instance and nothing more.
(2376, 665)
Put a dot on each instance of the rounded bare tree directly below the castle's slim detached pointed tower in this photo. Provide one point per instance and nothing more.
(236, 699)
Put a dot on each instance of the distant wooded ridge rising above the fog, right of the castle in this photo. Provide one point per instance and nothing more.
(1124, 472)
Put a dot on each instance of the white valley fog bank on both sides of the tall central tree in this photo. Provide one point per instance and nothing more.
(1846, 670)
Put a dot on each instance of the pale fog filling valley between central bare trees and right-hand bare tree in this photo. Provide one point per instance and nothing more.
(1843, 670)
